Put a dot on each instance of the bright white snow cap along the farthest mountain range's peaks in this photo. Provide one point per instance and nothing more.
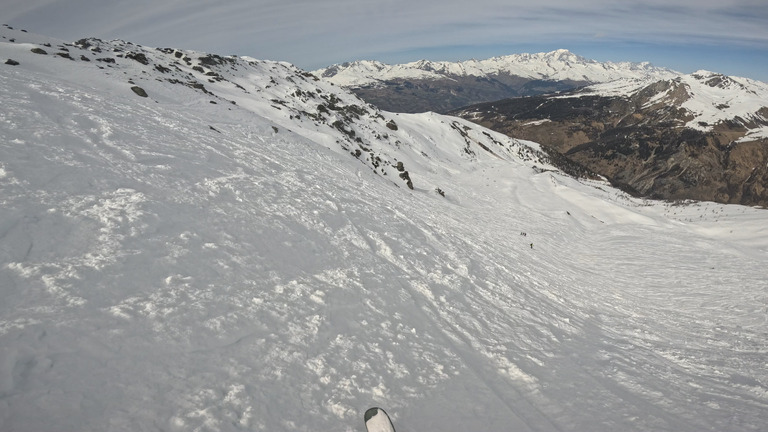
(556, 65)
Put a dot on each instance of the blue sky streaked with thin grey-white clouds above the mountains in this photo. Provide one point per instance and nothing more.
(726, 36)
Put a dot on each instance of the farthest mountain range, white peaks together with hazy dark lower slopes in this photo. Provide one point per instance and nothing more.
(442, 86)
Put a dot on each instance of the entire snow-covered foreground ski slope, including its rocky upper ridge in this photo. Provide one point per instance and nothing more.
(169, 263)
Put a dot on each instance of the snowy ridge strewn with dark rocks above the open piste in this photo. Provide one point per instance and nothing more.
(295, 101)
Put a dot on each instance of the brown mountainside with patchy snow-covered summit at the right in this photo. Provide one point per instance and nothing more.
(700, 136)
